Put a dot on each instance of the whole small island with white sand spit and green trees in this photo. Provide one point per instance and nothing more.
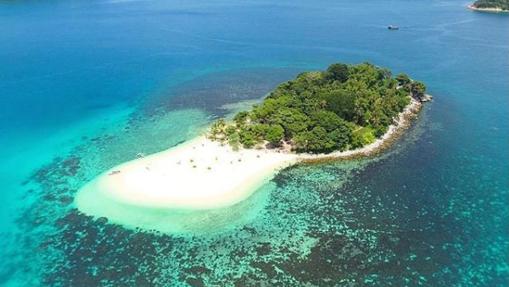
(343, 112)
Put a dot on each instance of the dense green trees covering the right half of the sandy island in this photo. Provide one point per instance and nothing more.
(344, 107)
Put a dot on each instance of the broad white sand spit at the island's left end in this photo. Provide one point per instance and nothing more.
(199, 174)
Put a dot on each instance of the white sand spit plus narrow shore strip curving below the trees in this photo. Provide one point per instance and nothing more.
(202, 174)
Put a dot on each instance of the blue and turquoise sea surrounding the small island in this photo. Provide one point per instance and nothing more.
(85, 85)
